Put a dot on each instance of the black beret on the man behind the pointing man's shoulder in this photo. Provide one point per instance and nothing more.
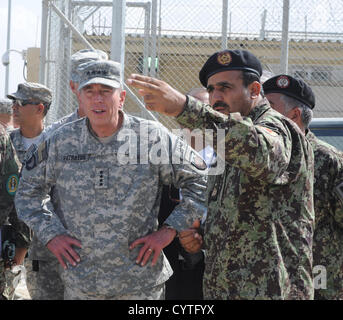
(289, 86)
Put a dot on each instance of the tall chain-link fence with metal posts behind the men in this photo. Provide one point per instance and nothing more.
(171, 39)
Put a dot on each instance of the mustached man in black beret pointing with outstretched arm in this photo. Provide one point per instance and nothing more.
(259, 227)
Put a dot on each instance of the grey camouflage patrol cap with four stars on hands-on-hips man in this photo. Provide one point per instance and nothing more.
(100, 72)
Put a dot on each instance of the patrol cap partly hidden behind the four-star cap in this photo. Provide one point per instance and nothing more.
(83, 56)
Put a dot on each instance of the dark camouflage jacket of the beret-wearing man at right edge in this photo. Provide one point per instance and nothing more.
(328, 204)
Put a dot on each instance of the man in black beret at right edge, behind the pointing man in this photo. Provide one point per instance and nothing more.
(295, 99)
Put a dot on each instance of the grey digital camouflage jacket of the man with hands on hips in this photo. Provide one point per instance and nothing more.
(109, 195)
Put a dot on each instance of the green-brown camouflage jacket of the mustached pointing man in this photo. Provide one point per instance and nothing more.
(260, 220)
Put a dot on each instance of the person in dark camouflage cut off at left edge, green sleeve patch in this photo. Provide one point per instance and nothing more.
(9, 168)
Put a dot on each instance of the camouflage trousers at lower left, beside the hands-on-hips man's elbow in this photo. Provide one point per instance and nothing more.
(43, 281)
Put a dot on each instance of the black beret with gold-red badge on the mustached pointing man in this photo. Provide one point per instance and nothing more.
(229, 60)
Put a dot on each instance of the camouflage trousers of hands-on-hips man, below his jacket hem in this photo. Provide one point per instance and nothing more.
(155, 293)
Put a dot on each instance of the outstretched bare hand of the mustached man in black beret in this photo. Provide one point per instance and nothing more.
(158, 95)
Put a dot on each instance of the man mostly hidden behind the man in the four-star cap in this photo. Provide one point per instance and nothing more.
(79, 57)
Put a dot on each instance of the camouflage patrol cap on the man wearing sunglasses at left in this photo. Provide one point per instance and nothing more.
(33, 92)
